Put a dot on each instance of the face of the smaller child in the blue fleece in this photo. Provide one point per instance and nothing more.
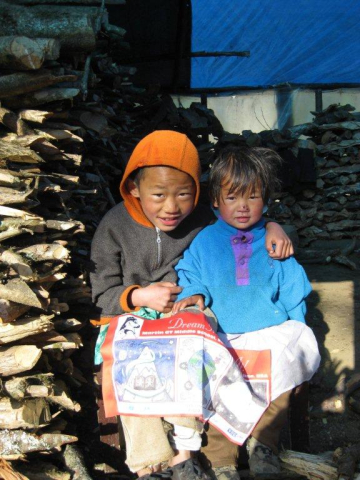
(239, 210)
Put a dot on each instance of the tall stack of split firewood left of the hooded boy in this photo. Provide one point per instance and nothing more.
(69, 119)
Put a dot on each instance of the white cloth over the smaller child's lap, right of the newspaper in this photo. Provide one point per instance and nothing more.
(294, 352)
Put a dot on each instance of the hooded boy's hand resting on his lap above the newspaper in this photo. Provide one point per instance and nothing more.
(159, 296)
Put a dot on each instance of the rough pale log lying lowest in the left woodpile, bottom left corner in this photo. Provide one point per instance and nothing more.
(15, 443)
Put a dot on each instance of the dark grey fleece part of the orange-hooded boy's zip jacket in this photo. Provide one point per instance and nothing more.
(125, 253)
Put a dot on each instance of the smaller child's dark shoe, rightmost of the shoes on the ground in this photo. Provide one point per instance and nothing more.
(262, 460)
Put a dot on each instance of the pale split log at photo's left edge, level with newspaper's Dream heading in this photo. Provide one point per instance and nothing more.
(25, 327)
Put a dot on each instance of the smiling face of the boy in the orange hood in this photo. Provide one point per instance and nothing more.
(166, 195)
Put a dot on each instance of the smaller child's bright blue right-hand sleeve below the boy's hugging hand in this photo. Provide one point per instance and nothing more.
(294, 288)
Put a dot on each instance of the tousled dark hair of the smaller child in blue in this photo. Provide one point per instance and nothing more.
(245, 168)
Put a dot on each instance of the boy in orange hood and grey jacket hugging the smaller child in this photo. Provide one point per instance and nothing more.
(134, 251)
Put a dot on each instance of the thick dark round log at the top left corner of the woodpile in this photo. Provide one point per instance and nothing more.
(74, 31)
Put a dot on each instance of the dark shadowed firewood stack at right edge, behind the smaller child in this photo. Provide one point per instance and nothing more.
(328, 209)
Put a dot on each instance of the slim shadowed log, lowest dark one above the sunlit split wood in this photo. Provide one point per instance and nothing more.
(41, 97)
